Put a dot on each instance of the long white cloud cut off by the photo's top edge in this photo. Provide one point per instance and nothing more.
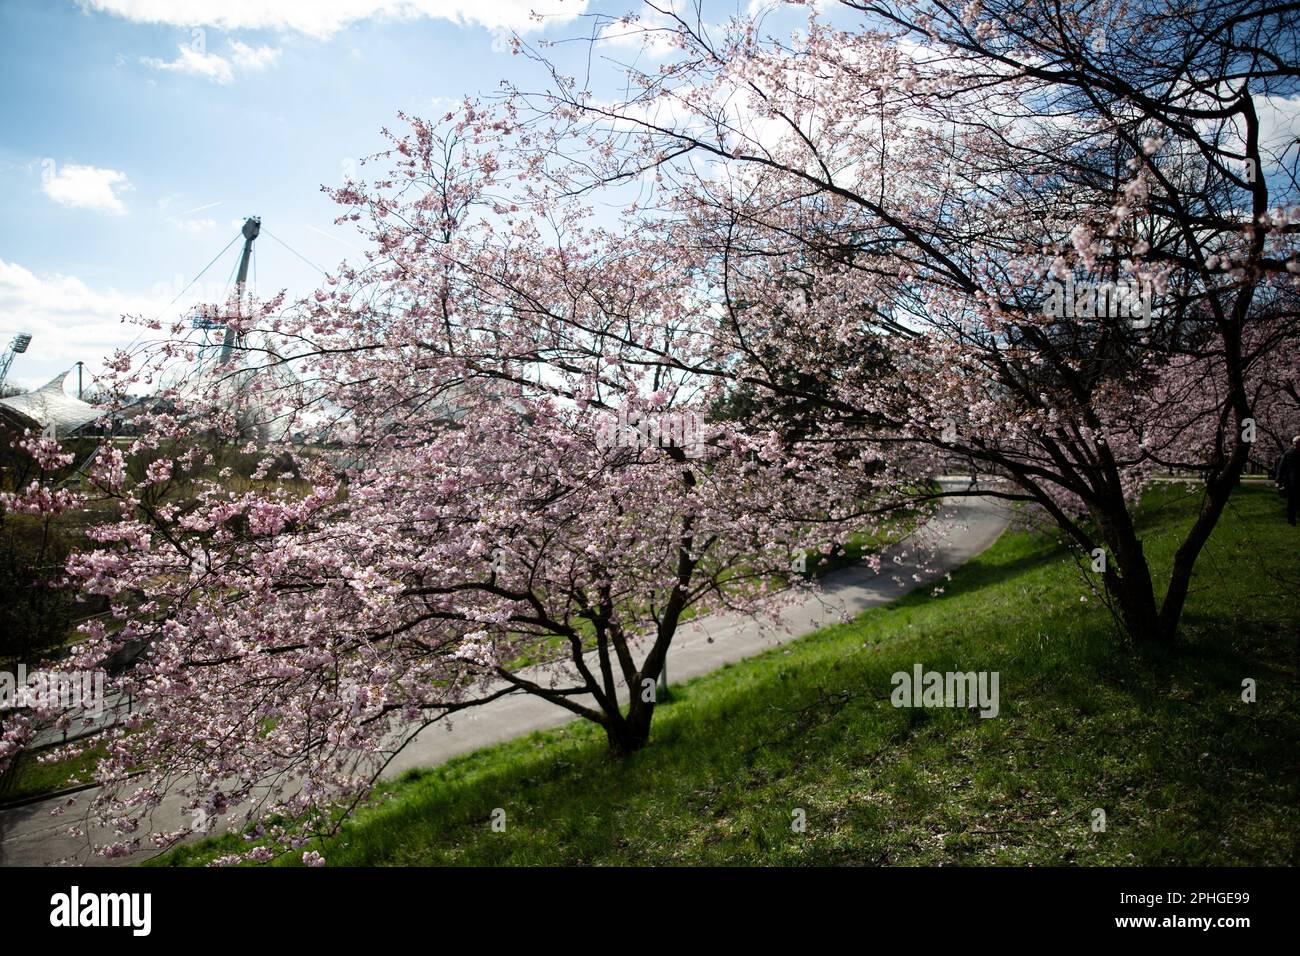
(327, 18)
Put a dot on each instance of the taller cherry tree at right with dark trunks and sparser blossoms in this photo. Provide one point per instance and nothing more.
(1061, 239)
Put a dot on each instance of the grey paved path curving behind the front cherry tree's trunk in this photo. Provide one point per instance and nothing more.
(33, 836)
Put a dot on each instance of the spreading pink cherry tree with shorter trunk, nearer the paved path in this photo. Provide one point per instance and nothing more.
(484, 499)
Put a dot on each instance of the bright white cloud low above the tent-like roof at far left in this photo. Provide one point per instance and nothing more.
(68, 321)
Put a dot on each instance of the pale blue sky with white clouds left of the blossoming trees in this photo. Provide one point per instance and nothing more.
(136, 136)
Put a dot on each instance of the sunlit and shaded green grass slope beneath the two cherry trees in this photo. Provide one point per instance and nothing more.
(1163, 742)
